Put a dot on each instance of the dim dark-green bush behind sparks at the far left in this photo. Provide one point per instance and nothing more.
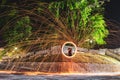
(20, 31)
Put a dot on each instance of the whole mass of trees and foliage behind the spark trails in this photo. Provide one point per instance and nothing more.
(40, 25)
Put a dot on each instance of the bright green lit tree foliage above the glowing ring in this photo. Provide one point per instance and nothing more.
(83, 19)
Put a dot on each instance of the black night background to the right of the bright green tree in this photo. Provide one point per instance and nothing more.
(112, 16)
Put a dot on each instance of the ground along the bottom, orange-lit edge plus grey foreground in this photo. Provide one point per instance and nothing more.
(13, 75)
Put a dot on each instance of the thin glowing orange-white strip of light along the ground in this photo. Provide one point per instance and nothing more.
(51, 74)
